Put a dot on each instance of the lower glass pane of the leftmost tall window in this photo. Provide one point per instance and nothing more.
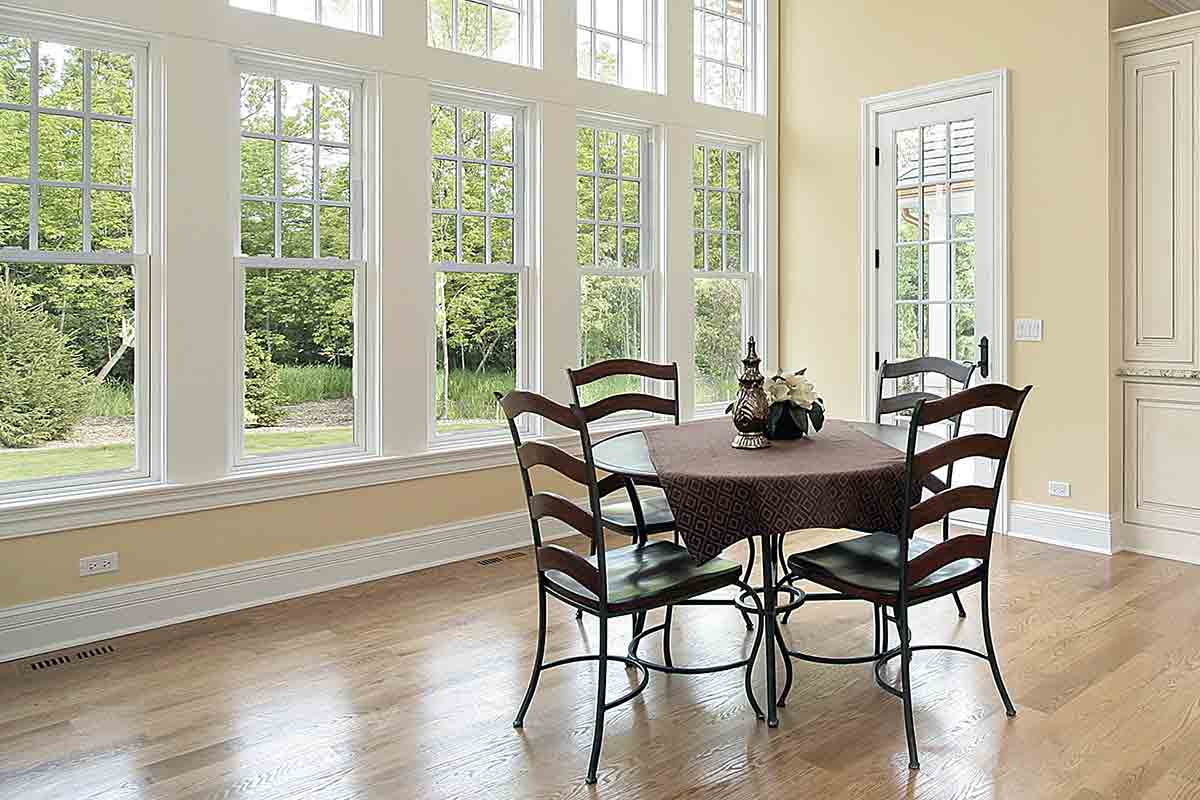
(68, 408)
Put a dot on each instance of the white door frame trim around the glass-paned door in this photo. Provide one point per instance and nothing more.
(988, 83)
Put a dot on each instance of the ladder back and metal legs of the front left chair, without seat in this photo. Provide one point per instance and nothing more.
(593, 578)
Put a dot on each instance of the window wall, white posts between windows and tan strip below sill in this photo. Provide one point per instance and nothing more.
(197, 39)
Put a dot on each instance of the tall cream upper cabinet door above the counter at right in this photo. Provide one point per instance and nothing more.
(1157, 195)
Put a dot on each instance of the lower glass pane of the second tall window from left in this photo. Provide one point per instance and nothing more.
(299, 358)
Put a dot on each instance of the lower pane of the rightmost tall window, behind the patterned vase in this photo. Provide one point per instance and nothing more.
(719, 339)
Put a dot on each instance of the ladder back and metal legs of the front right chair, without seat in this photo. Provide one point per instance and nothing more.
(919, 513)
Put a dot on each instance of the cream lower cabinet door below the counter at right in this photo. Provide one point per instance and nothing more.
(1163, 456)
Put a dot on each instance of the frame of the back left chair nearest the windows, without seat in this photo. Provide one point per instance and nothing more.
(653, 405)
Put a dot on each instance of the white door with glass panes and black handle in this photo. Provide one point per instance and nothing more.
(937, 243)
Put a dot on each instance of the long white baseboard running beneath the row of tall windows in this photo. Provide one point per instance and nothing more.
(43, 627)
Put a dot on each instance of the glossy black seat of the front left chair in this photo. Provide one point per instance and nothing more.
(650, 578)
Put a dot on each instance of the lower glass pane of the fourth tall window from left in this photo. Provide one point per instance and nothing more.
(610, 328)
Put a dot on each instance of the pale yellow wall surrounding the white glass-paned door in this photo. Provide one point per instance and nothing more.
(833, 55)
